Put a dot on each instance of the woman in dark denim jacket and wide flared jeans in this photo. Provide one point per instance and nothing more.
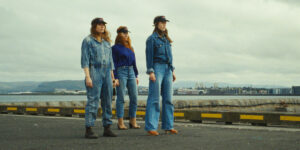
(159, 60)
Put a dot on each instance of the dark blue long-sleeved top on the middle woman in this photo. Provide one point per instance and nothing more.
(123, 56)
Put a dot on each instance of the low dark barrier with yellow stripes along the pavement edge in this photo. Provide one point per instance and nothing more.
(255, 118)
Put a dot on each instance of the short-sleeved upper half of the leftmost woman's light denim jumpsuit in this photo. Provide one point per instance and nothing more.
(95, 53)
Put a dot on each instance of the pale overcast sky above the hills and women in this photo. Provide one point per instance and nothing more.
(233, 41)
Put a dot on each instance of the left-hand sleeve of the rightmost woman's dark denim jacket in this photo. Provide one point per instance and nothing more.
(149, 55)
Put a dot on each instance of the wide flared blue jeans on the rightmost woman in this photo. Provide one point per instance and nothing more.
(163, 86)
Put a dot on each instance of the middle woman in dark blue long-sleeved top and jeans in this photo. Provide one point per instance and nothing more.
(126, 74)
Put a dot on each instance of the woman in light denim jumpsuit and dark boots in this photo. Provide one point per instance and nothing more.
(97, 62)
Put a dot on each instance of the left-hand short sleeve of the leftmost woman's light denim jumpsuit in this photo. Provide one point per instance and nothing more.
(85, 54)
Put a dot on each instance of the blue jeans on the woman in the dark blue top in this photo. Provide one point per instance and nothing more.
(126, 79)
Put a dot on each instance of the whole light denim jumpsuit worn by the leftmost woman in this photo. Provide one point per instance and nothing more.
(98, 57)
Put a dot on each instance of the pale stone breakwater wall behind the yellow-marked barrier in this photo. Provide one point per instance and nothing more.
(250, 105)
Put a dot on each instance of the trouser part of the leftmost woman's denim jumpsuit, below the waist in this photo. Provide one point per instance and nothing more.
(102, 87)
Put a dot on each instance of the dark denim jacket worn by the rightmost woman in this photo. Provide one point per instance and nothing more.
(158, 50)
